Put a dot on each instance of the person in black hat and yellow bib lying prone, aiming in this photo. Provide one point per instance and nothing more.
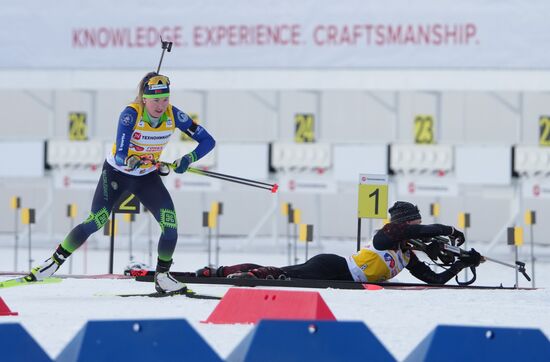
(380, 261)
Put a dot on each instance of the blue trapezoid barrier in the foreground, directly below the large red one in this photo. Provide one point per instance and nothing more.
(286, 340)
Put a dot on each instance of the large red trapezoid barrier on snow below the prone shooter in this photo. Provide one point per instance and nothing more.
(243, 305)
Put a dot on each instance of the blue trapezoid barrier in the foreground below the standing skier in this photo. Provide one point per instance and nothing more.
(138, 340)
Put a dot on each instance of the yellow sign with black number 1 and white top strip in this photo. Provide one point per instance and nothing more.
(373, 196)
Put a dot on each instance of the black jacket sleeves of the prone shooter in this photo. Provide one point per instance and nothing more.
(395, 235)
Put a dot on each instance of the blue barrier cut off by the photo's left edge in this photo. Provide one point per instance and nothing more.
(17, 345)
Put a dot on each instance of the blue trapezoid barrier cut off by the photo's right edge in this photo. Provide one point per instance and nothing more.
(461, 343)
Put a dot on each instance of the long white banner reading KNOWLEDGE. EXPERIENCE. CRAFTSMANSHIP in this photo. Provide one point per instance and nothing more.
(125, 34)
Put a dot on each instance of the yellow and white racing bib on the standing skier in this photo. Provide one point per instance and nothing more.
(146, 141)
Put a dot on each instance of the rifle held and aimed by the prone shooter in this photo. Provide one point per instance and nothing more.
(443, 249)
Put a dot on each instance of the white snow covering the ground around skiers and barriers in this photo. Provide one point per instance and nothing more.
(54, 313)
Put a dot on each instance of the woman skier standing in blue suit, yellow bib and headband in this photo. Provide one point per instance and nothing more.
(144, 129)
